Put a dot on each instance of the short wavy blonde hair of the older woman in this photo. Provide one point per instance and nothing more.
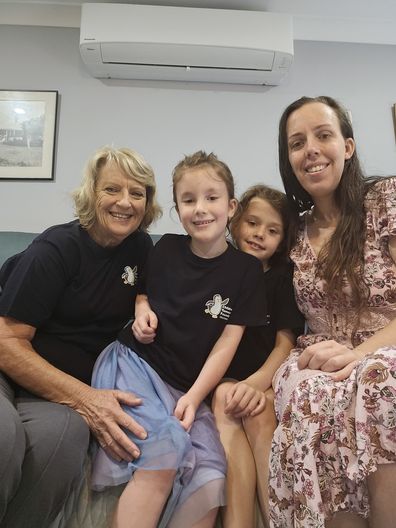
(133, 165)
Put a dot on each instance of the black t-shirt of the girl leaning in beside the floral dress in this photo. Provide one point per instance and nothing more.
(257, 342)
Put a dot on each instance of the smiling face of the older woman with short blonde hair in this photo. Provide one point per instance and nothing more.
(120, 206)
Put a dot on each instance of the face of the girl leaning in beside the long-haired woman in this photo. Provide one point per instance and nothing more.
(260, 230)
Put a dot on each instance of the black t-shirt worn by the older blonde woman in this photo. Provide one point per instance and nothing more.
(76, 293)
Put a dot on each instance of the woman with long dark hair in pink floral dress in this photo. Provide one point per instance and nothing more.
(333, 460)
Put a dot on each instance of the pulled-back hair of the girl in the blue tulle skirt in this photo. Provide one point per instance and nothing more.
(198, 160)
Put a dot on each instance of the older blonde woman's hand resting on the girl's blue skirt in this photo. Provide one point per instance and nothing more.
(102, 411)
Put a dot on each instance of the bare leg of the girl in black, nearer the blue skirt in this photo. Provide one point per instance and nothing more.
(241, 469)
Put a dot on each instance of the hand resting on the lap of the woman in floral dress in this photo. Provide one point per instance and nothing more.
(330, 356)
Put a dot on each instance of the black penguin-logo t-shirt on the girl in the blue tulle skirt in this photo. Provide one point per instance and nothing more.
(194, 299)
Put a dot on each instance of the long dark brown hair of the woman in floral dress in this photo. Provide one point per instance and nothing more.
(342, 256)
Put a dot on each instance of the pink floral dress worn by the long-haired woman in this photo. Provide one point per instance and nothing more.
(331, 435)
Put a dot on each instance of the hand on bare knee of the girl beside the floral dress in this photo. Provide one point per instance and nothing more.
(243, 400)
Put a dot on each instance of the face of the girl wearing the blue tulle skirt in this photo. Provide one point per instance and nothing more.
(204, 208)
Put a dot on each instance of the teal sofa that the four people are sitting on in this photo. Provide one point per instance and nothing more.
(84, 508)
